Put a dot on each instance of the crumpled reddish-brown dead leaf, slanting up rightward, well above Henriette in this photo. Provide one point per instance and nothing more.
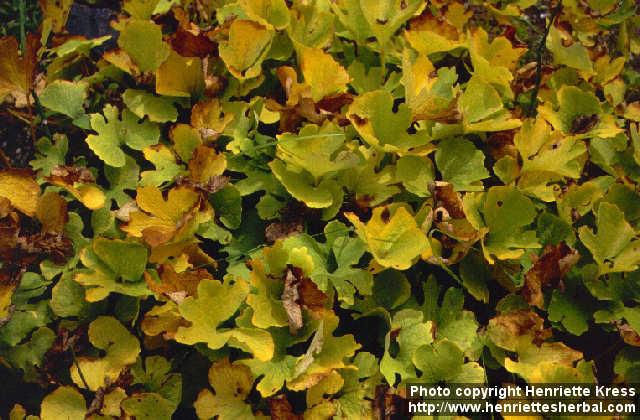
(547, 271)
